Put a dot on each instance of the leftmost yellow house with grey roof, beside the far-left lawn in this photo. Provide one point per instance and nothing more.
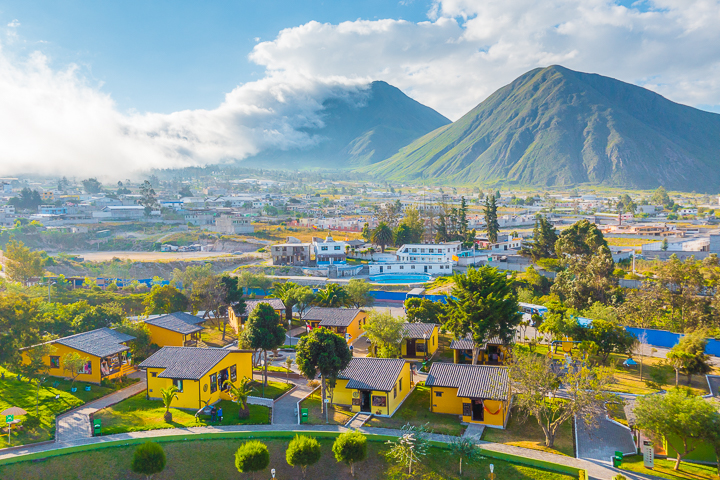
(106, 350)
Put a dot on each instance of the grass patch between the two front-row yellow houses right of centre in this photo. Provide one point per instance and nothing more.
(416, 411)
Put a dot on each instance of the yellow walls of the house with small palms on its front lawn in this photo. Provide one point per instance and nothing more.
(194, 396)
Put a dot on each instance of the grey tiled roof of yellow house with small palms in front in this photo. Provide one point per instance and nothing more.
(185, 362)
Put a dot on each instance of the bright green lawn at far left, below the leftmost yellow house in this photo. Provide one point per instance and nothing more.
(22, 394)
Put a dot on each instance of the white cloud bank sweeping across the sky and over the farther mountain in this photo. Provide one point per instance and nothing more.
(55, 121)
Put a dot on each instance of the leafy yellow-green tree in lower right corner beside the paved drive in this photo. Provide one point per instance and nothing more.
(677, 417)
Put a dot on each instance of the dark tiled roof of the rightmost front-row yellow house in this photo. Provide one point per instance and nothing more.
(472, 381)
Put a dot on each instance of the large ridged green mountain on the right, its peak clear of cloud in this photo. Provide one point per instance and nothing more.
(555, 126)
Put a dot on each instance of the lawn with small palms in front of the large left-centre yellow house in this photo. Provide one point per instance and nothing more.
(138, 414)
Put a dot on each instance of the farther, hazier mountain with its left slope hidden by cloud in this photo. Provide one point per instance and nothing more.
(359, 129)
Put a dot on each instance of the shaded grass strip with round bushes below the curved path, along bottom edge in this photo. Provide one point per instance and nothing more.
(213, 459)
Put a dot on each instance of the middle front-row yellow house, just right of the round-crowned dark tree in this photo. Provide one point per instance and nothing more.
(374, 385)
